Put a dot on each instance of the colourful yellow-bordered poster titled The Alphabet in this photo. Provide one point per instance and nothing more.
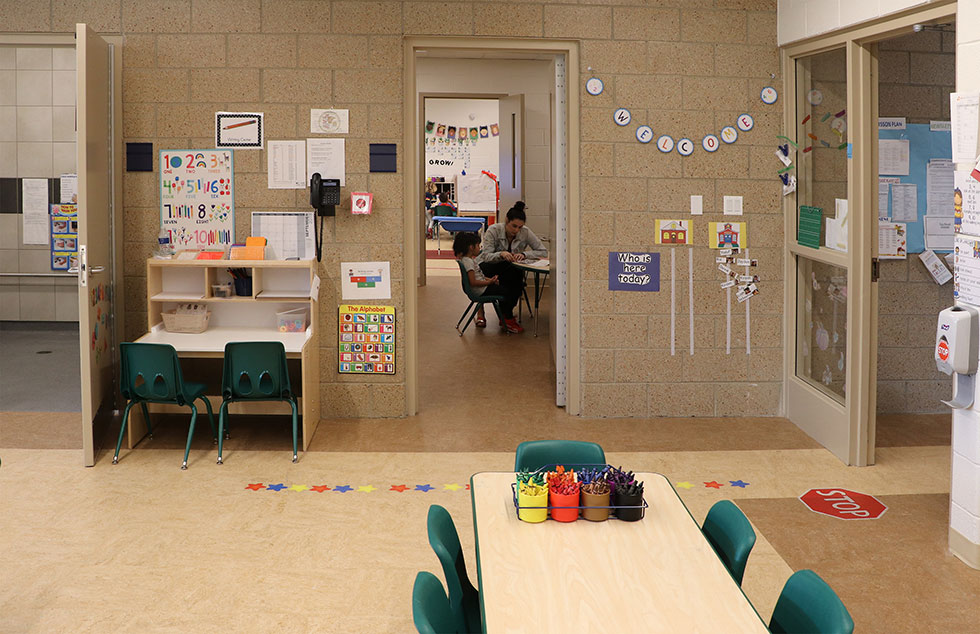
(367, 339)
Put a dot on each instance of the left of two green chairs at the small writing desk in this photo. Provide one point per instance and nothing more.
(151, 374)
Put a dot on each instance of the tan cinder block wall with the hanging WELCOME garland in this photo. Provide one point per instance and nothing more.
(685, 67)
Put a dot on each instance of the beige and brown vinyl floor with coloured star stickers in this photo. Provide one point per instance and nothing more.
(332, 543)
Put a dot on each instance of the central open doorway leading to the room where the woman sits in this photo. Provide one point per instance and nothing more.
(507, 108)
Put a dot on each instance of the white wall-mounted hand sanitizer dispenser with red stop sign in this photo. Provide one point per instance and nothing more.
(957, 351)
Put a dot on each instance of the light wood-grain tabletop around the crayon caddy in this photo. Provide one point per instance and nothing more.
(655, 575)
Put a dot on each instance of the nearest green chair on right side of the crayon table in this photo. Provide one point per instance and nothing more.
(807, 604)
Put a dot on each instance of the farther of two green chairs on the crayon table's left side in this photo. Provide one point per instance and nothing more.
(464, 599)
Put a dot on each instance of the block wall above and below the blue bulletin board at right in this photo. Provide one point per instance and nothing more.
(917, 73)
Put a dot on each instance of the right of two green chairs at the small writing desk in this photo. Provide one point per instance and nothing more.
(254, 371)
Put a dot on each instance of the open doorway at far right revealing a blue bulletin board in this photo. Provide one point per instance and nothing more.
(916, 73)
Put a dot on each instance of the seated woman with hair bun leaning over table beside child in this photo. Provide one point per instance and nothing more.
(506, 242)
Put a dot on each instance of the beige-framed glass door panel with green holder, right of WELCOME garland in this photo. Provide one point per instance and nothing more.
(827, 251)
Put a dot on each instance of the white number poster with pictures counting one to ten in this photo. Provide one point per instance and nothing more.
(197, 198)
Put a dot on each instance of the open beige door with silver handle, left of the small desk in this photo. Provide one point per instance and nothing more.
(97, 255)
